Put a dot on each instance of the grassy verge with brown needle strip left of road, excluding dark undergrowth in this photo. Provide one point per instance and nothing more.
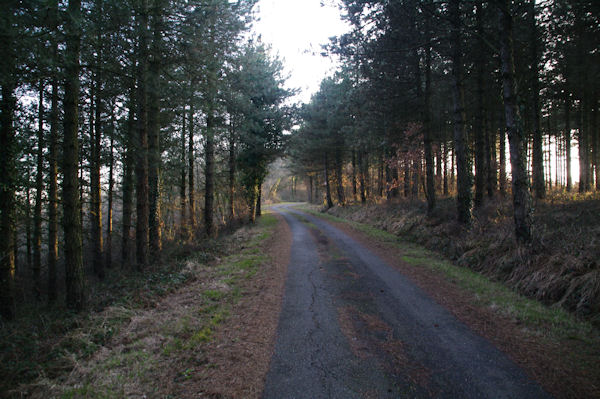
(212, 337)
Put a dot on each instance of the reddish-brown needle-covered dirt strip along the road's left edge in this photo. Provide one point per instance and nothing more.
(242, 348)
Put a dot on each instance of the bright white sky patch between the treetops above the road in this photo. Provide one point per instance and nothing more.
(296, 29)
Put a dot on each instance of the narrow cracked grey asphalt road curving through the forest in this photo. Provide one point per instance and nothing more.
(351, 326)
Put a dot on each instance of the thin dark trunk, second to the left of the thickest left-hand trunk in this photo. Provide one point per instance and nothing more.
(37, 213)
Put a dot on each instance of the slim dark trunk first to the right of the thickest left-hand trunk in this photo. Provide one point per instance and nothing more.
(95, 185)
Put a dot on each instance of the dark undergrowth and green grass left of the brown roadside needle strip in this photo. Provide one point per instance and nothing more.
(55, 353)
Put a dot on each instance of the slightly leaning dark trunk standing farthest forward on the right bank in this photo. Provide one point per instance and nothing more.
(516, 136)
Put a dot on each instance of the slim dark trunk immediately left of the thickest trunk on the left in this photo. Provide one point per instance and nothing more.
(53, 185)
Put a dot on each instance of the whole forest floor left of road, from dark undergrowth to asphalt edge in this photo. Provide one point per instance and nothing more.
(199, 326)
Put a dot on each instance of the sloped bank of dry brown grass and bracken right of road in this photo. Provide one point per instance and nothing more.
(559, 268)
